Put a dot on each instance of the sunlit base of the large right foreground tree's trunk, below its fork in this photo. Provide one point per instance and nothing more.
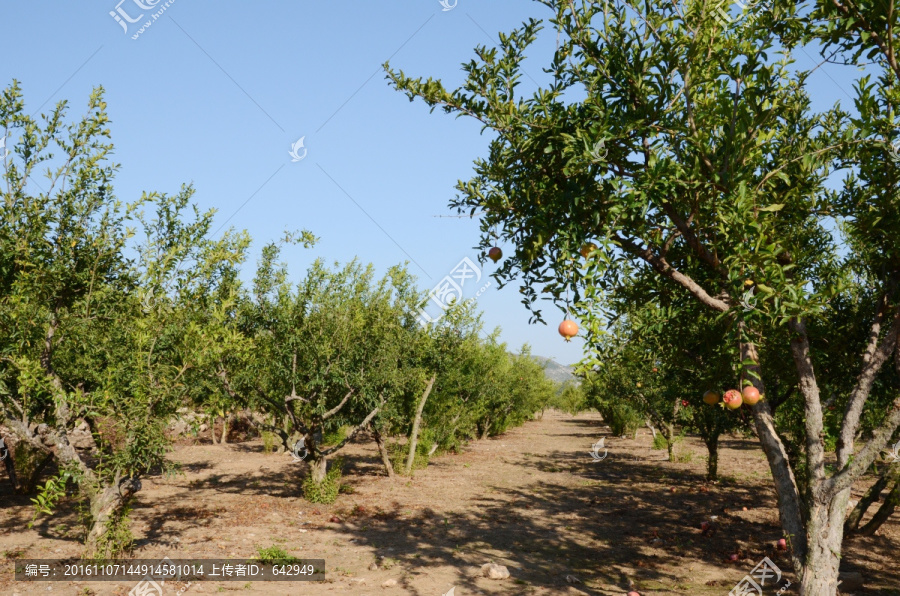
(825, 532)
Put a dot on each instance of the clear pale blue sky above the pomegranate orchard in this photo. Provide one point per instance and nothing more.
(215, 94)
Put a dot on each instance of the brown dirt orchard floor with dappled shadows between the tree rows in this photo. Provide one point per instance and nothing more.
(533, 500)
